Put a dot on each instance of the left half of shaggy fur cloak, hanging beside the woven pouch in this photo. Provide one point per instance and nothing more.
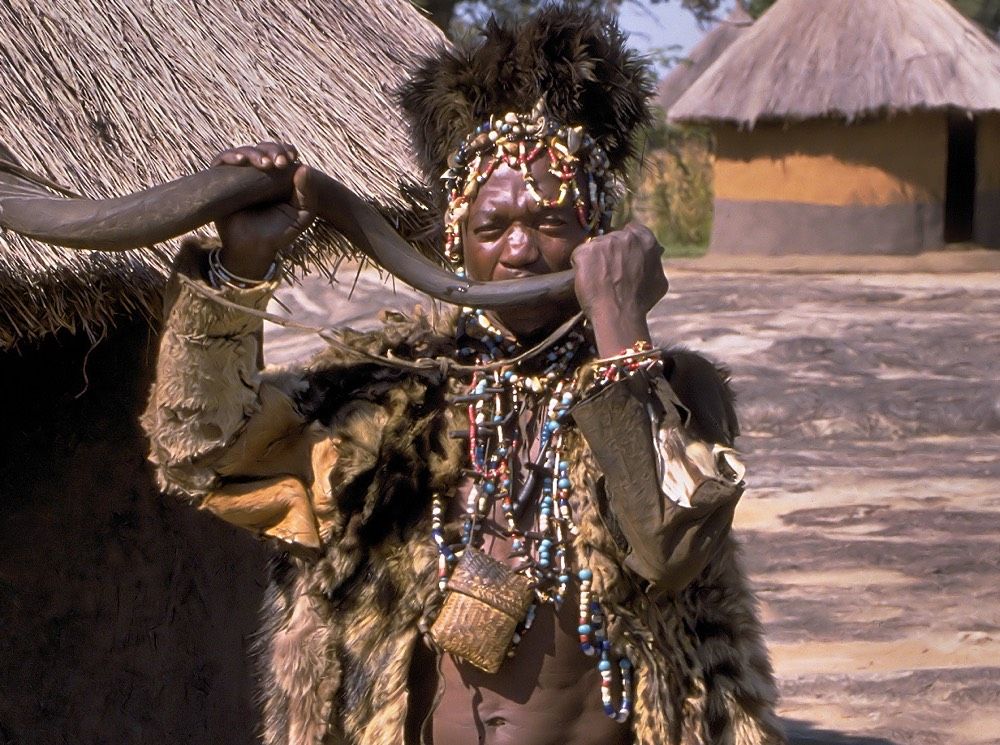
(339, 629)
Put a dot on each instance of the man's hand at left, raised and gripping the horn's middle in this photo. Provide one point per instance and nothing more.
(252, 238)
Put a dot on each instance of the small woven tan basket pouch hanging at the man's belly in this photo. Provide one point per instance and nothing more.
(484, 602)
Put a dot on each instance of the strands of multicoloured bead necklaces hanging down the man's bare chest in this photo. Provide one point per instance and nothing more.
(495, 402)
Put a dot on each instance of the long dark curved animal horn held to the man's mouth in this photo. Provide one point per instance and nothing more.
(28, 207)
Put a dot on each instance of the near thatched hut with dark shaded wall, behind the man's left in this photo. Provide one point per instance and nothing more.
(126, 618)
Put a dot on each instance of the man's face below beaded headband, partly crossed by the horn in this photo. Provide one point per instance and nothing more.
(508, 235)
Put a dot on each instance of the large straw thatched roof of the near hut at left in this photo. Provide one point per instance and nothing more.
(108, 97)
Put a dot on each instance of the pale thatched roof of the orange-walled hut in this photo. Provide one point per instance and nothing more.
(848, 58)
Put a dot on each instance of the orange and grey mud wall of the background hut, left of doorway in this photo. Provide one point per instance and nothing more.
(826, 187)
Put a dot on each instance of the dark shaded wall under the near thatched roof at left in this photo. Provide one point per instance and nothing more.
(125, 616)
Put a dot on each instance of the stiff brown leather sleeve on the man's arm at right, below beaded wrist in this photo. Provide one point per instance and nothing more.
(671, 498)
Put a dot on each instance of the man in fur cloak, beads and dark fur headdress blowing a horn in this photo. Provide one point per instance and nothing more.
(515, 531)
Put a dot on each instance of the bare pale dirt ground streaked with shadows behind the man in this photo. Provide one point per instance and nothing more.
(871, 416)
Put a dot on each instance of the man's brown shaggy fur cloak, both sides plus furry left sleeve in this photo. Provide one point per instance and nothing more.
(341, 621)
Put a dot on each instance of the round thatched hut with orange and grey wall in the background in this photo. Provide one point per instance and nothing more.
(853, 126)
